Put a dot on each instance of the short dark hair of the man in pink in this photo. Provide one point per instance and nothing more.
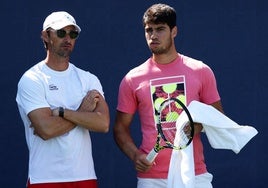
(160, 14)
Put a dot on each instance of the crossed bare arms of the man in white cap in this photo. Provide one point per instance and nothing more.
(93, 114)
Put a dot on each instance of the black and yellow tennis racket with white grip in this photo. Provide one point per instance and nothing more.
(167, 115)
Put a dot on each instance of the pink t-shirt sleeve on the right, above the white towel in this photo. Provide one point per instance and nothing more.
(209, 92)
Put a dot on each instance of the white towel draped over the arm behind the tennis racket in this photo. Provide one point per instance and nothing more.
(222, 133)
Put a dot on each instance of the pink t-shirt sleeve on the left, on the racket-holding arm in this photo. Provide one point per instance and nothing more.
(126, 97)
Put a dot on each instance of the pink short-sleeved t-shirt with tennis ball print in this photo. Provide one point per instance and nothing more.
(140, 89)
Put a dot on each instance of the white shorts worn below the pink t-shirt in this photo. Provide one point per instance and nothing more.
(201, 181)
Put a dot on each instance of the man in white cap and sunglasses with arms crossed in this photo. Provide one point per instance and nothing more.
(59, 104)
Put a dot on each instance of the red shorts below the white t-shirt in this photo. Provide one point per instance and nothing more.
(76, 184)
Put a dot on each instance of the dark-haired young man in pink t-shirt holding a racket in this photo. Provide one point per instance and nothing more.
(141, 86)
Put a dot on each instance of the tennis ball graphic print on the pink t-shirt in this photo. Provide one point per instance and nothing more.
(164, 88)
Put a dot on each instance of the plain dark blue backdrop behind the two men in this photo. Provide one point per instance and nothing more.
(230, 36)
